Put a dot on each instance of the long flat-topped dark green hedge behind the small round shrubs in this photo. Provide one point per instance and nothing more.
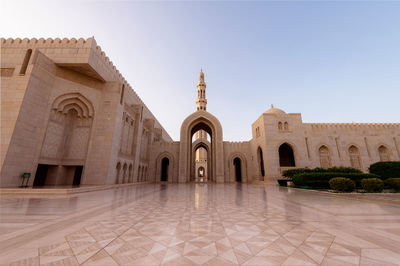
(321, 180)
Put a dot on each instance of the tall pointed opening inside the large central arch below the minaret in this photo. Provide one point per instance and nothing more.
(201, 137)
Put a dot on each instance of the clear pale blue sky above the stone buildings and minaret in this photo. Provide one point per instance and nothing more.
(332, 61)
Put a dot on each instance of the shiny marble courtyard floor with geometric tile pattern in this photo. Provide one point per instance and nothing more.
(211, 224)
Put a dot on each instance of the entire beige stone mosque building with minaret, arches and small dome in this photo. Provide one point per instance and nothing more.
(68, 117)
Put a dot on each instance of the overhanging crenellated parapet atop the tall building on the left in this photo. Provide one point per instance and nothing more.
(81, 55)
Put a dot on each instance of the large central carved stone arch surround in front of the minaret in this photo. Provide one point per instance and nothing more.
(201, 120)
